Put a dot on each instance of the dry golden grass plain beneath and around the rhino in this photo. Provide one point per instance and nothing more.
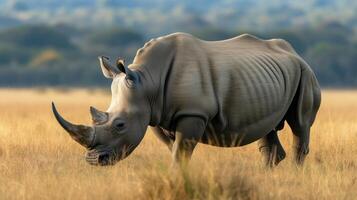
(40, 161)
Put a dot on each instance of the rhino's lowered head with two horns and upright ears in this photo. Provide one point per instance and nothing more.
(115, 133)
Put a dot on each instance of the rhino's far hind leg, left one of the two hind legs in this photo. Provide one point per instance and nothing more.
(271, 149)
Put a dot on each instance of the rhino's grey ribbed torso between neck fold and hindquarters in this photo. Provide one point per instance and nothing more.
(241, 86)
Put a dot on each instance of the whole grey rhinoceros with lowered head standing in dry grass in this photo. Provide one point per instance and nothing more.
(224, 93)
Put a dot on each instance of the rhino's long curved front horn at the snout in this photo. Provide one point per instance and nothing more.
(84, 135)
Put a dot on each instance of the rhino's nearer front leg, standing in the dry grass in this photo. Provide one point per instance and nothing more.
(188, 132)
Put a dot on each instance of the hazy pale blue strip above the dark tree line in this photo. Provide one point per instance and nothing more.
(165, 15)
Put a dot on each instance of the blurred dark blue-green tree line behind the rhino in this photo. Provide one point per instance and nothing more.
(61, 55)
